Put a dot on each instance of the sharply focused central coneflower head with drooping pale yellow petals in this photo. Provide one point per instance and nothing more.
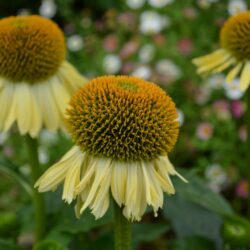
(123, 127)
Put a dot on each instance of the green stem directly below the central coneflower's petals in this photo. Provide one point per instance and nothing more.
(122, 230)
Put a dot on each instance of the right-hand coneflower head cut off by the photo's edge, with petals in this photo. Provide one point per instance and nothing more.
(234, 51)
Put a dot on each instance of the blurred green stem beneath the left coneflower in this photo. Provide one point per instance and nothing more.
(38, 199)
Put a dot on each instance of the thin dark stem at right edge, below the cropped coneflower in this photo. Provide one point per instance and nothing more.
(248, 141)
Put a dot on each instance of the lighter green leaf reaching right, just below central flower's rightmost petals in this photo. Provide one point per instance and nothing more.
(197, 192)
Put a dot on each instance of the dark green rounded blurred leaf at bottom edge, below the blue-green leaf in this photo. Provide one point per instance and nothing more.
(194, 243)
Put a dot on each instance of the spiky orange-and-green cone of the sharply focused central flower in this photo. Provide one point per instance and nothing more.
(124, 118)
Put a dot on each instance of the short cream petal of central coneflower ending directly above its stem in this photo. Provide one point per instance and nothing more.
(118, 182)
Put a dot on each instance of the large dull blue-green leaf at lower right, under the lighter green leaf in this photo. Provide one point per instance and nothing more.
(190, 219)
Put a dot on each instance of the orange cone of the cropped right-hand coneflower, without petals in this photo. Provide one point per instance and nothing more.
(235, 35)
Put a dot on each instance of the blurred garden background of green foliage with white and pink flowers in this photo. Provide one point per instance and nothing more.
(155, 40)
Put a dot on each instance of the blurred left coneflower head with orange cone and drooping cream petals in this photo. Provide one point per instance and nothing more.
(35, 80)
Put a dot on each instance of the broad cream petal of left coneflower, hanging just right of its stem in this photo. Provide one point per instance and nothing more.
(51, 115)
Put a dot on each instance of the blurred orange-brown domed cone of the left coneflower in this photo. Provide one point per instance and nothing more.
(31, 48)
